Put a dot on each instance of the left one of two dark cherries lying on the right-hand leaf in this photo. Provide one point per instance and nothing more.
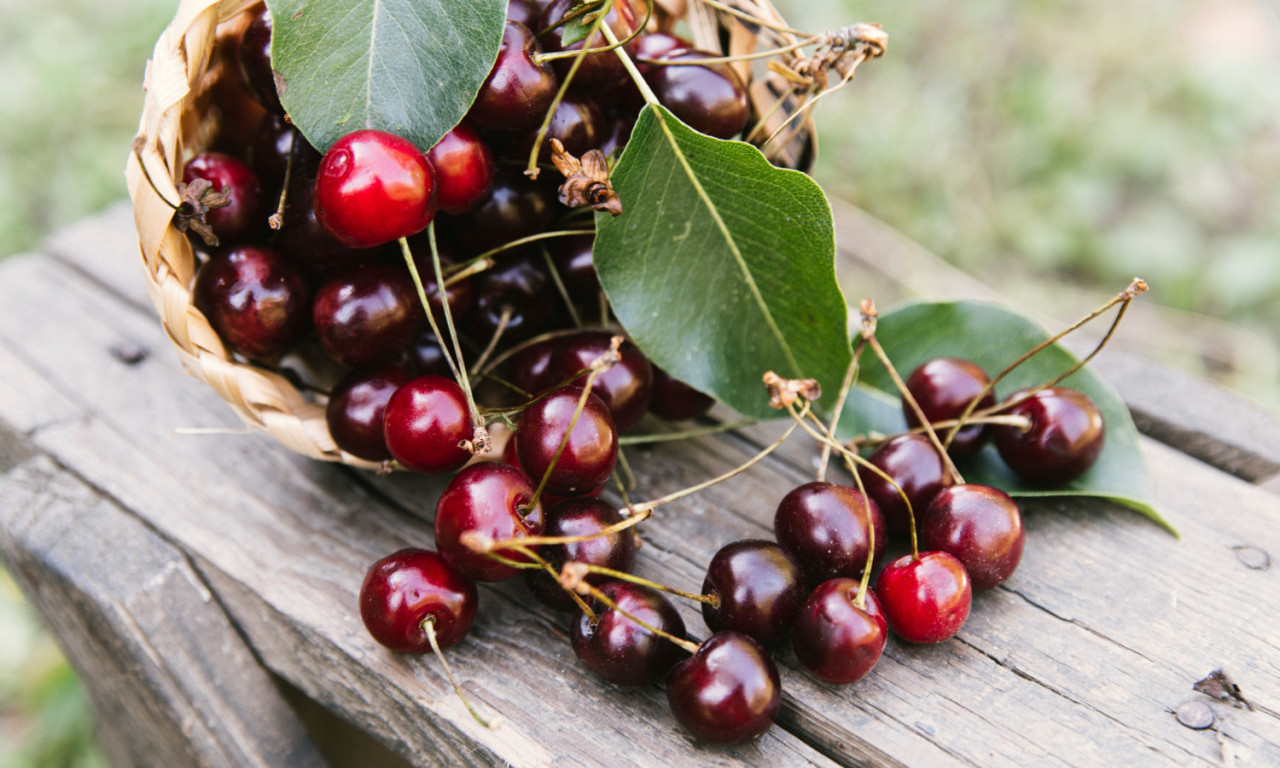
(944, 387)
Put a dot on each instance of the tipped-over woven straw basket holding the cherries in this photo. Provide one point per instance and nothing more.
(181, 81)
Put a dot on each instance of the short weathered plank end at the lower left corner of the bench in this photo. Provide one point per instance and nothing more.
(172, 682)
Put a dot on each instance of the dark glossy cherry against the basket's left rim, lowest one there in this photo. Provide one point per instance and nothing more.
(257, 301)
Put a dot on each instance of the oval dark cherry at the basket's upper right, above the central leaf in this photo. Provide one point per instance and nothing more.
(708, 98)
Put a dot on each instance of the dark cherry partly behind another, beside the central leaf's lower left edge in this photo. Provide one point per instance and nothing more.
(625, 388)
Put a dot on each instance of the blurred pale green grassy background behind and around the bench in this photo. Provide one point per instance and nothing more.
(1052, 149)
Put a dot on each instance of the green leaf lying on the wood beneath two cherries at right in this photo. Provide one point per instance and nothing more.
(994, 337)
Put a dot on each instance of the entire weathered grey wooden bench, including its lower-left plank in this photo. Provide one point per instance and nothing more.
(205, 584)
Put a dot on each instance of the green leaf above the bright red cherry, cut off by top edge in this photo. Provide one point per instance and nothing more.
(408, 67)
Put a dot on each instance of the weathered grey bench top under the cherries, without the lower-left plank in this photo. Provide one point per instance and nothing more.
(1078, 660)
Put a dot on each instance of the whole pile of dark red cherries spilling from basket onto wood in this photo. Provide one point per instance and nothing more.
(333, 278)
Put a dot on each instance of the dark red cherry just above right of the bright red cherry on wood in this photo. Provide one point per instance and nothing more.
(979, 525)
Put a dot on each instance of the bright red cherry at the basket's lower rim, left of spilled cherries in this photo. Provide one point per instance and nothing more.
(426, 424)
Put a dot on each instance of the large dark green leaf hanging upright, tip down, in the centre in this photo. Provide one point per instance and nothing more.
(721, 266)
